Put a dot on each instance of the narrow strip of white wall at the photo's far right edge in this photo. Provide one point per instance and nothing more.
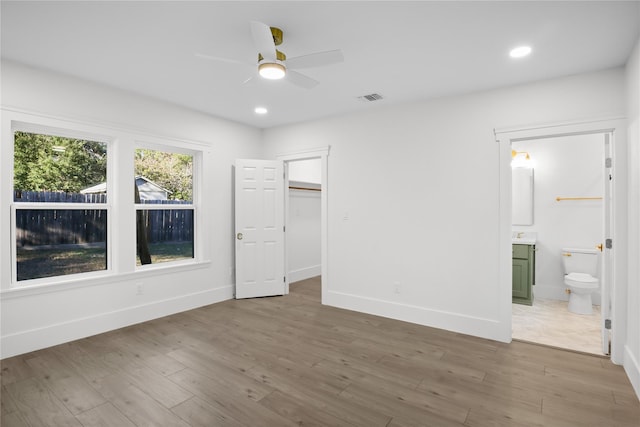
(632, 348)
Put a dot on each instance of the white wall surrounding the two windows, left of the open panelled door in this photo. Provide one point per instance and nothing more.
(37, 318)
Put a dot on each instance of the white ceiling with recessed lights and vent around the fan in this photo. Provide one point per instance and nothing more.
(405, 51)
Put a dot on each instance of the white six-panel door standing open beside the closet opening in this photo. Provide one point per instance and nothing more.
(259, 215)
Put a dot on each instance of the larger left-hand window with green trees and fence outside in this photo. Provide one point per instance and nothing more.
(59, 211)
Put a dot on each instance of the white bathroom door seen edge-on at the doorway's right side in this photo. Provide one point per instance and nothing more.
(607, 254)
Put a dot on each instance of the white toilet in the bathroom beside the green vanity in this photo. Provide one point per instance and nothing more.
(581, 270)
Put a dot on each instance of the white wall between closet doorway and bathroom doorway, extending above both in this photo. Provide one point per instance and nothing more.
(414, 198)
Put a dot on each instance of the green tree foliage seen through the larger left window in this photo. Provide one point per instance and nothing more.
(54, 163)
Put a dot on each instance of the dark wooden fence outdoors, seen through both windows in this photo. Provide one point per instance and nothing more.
(36, 227)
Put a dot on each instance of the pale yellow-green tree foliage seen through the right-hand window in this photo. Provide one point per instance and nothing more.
(172, 171)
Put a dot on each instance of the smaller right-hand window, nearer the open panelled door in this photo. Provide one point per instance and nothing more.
(164, 206)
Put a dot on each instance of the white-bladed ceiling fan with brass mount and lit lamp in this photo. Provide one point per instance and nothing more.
(273, 64)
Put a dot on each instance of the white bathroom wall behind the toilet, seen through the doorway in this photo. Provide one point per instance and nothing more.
(570, 166)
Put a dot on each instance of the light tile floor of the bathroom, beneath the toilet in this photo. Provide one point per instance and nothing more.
(549, 322)
